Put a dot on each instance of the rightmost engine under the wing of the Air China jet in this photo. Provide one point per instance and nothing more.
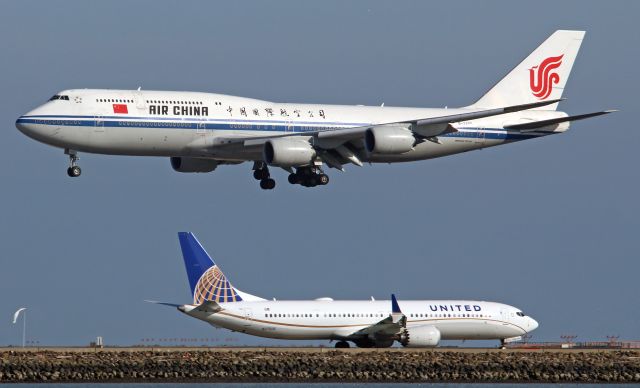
(388, 140)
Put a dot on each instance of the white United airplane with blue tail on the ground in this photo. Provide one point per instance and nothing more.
(368, 323)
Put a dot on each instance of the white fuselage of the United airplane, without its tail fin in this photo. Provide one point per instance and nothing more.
(337, 320)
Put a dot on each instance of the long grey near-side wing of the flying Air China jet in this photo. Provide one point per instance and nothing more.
(338, 146)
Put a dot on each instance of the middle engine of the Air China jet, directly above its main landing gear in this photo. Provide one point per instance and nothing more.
(288, 152)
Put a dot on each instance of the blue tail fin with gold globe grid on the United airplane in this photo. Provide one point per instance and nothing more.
(205, 278)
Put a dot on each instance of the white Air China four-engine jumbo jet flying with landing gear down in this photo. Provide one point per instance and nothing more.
(200, 131)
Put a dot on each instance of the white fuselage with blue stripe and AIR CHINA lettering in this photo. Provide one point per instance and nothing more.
(190, 124)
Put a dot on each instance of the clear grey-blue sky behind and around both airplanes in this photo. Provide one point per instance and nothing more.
(548, 225)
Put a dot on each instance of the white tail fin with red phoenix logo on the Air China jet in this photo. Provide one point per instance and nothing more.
(541, 76)
